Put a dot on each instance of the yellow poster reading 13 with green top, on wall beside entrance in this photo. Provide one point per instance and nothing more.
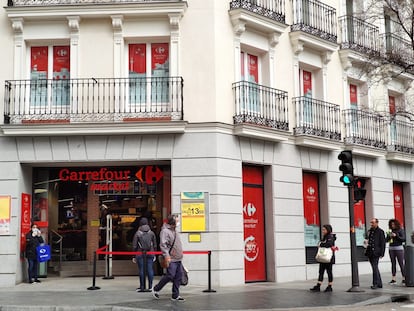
(193, 212)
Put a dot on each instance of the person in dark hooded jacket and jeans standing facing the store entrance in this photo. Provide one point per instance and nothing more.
(144, 241)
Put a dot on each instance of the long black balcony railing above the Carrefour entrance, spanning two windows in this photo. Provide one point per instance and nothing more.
(93, 100)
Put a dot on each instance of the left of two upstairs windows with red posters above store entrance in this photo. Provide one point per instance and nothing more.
(49, 76)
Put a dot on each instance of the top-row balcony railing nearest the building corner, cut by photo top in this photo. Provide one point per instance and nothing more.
(273, 9)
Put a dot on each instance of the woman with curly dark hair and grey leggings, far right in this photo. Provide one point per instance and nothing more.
(396, 238)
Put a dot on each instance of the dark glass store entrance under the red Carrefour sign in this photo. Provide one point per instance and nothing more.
(71, 206)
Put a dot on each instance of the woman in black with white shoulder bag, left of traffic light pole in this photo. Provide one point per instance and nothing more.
(328, 240)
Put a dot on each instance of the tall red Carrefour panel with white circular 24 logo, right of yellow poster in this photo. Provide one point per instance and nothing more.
(254, 230)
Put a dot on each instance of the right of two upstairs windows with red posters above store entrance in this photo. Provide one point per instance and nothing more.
(148, 71)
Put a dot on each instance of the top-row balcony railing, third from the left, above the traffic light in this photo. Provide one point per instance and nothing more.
(359, 35)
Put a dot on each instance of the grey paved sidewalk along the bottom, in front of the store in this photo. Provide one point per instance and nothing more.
(118, 294)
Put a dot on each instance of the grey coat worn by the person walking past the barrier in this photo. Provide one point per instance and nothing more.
(167, 236)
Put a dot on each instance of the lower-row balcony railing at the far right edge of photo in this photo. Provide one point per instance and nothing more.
(401, 135)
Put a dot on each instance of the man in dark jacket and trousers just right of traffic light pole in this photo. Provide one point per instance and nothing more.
(375, 250)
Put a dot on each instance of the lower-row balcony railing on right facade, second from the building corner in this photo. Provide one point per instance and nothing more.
(317, 118)
